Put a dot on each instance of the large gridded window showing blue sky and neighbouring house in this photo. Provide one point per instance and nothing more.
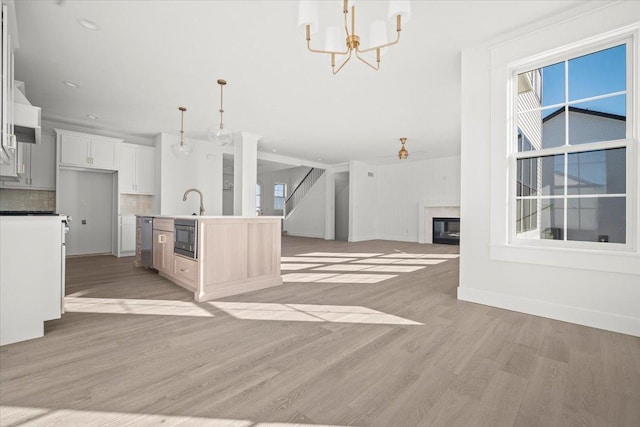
(571, 141)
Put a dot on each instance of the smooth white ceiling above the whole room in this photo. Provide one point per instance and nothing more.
(150, 56)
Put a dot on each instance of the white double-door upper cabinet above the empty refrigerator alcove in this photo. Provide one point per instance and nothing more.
(87, 151)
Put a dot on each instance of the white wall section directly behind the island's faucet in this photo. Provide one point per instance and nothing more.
(202, 170)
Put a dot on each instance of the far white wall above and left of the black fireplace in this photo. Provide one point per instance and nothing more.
(403, 185)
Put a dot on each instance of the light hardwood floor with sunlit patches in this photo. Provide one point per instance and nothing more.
(135, 349)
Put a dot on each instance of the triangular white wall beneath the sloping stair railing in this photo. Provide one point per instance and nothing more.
(308, 220)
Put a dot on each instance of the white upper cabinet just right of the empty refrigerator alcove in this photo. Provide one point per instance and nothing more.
(136, 169)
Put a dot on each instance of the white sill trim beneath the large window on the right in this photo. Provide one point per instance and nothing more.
(583, 259)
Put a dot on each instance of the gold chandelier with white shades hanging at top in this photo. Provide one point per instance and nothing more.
(308, 16)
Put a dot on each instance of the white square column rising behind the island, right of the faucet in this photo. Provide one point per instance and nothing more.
(245, 173)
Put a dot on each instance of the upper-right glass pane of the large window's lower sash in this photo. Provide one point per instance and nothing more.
(597, 172)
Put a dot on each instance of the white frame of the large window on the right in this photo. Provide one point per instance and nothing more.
(629, 143)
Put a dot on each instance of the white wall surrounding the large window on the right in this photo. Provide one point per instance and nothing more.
(596, 288)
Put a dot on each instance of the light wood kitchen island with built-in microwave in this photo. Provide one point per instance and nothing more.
(231, 255)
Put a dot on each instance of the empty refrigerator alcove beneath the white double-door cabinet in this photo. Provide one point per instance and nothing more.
(88, 198)
